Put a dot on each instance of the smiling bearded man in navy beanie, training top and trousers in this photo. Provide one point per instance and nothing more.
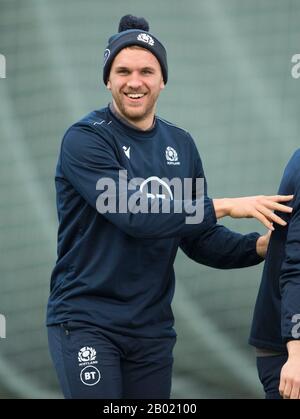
(110, 323)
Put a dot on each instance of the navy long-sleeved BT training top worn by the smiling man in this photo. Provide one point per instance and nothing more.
(115, 271)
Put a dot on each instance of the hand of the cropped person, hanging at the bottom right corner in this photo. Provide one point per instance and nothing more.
(289, 387)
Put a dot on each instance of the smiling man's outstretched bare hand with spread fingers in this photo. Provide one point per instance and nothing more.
(260, 207)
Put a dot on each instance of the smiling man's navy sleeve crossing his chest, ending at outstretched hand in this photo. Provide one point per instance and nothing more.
(88, 157)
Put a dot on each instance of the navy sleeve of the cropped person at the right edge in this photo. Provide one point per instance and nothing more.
(290, 277)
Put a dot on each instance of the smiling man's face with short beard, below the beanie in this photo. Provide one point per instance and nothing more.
(135, 82)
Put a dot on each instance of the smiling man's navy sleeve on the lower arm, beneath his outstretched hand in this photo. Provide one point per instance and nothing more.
(218, 246)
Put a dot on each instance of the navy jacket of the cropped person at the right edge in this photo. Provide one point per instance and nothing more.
(277, 310)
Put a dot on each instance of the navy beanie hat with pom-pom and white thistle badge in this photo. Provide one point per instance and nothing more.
(134, 31)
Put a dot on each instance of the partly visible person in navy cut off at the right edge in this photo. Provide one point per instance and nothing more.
(276, 322)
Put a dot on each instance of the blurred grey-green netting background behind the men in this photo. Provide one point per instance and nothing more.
(229, 84)
